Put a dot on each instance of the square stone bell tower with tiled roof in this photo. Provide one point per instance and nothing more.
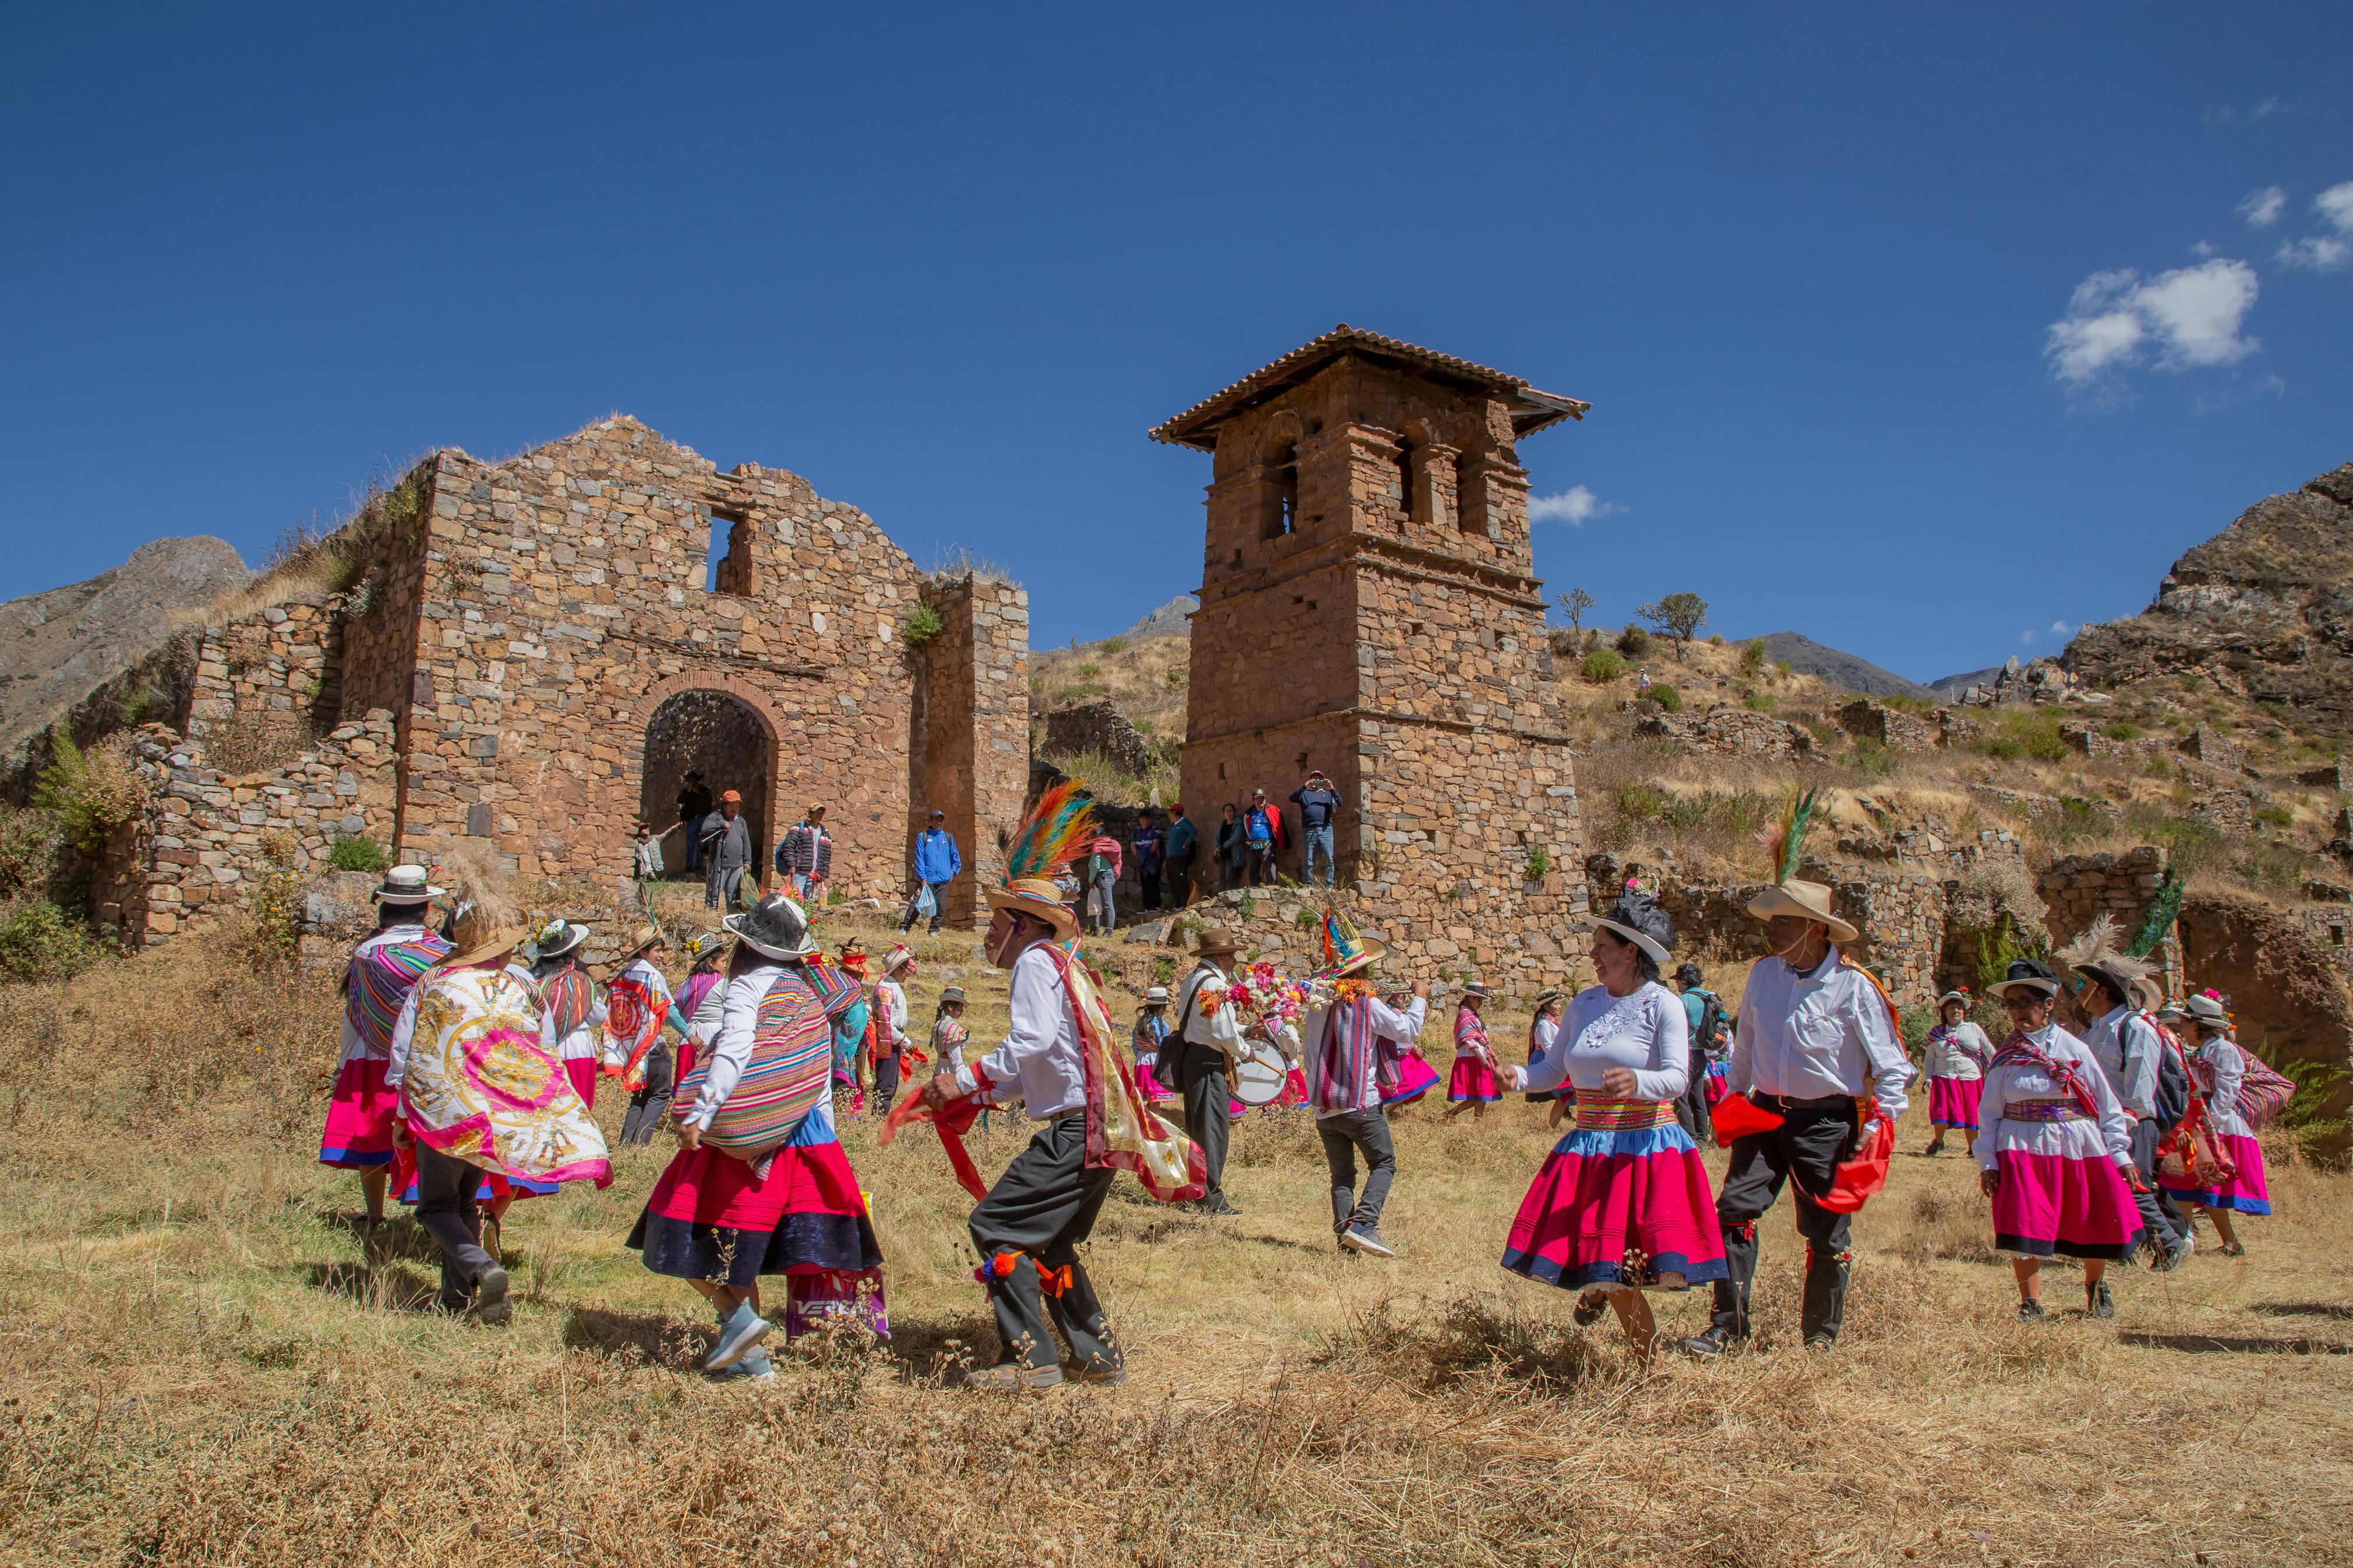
(1368, 608)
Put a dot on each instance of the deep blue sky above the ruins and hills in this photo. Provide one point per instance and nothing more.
(1926, 333)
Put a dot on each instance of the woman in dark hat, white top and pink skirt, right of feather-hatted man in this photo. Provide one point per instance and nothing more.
(2055, 1148)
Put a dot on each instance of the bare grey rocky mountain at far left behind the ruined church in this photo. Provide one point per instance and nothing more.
(62, 643)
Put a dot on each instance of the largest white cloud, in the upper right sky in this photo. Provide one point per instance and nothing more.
(2189, 316)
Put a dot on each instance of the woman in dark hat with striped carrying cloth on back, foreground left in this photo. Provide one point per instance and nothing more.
(761, 1184)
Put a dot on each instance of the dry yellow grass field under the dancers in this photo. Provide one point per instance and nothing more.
(204, 1367)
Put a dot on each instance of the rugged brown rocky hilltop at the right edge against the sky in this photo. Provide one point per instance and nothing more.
(2262, 612)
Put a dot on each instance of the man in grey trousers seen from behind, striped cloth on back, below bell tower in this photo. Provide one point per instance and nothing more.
(1345, 1068)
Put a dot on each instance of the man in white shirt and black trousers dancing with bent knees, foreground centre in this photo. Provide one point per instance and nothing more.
(1044, 1207)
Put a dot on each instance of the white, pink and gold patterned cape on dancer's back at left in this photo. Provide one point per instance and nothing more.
(481, 1085)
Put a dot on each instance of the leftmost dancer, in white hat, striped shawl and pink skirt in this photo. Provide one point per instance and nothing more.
(385, 970)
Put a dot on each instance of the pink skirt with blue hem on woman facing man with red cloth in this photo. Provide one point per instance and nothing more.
(1620, 1202)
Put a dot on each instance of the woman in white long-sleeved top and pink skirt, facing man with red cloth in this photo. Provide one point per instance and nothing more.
(1622, 1205)
